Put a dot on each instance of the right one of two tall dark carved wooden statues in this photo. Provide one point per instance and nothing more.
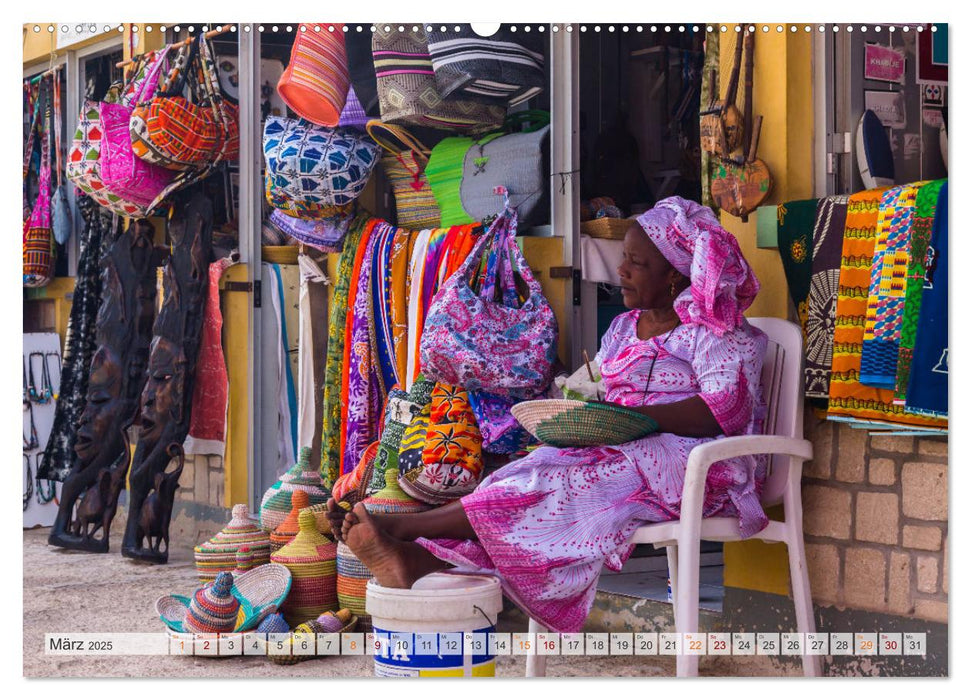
(166, 399)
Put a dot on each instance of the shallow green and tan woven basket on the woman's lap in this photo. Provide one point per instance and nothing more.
(567, 423)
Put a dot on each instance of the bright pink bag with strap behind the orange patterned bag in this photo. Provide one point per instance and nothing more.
(122, 172)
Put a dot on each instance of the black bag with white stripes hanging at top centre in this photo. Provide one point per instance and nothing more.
(505, 68)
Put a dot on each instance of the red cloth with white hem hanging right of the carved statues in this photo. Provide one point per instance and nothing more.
(210, 392)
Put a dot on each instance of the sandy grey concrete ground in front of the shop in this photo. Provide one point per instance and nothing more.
(76, 592)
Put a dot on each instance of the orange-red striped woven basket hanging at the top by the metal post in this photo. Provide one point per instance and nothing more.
(315, 83)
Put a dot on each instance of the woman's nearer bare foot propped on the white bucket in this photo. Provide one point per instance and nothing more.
(393, 563)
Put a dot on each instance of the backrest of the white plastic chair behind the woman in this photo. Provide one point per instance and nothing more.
(782, 387)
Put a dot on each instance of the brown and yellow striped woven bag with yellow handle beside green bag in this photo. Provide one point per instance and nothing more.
(404, 162)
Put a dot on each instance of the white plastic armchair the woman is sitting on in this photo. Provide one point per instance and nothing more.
(782, 384)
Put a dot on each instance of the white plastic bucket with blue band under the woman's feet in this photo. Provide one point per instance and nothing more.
(438, 604)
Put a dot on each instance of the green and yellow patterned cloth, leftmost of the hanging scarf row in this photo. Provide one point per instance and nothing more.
(331, 446)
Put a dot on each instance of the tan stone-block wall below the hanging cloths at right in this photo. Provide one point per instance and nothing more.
(875, 519)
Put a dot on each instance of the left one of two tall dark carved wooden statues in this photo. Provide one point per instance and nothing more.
(123, 331)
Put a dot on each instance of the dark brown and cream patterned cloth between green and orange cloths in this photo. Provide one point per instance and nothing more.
(823, 289)
